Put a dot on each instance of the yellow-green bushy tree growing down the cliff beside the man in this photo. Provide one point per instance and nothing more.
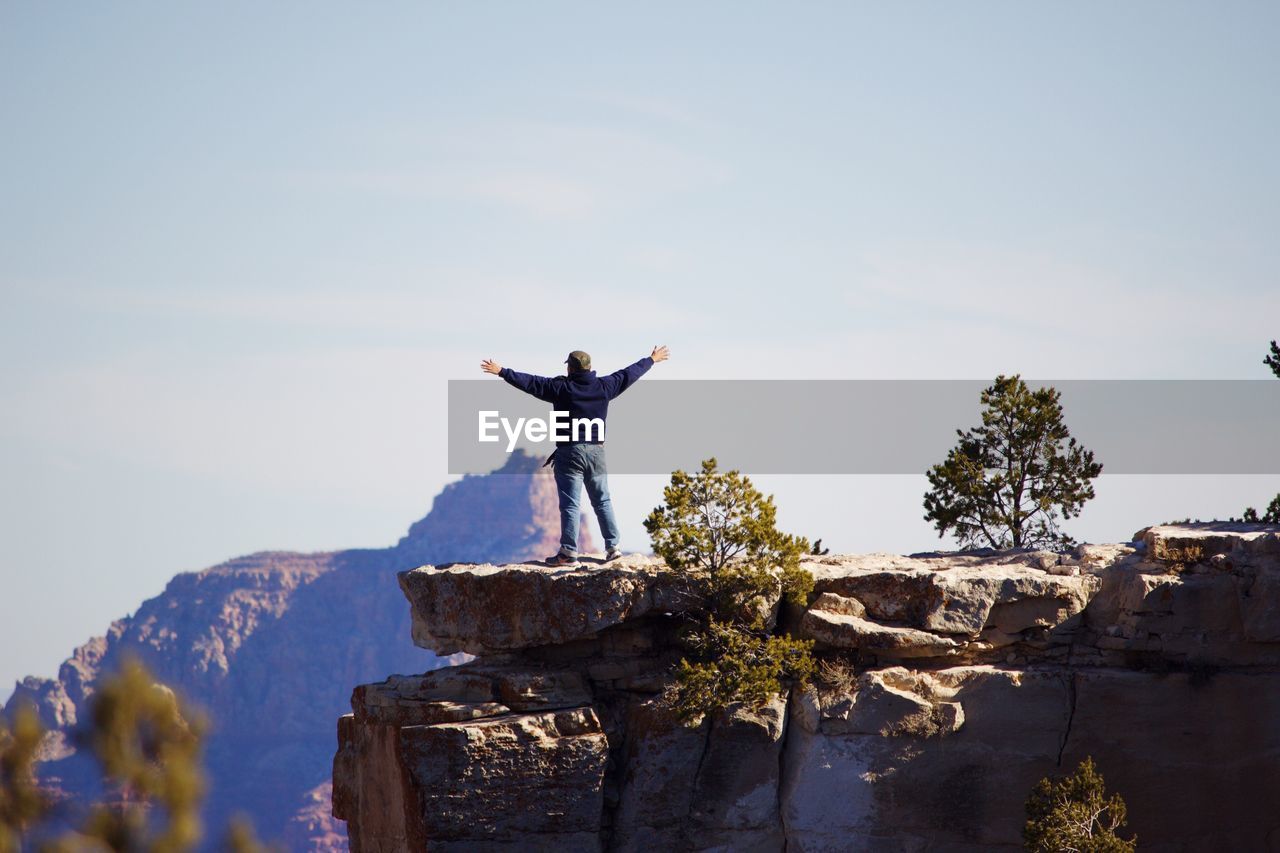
(719, 535)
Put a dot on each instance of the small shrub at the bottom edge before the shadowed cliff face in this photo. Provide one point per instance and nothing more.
(1076, 814)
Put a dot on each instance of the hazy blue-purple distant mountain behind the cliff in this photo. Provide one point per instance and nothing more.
(271, 646)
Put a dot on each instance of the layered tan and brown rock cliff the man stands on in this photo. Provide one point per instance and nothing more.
(952, 685)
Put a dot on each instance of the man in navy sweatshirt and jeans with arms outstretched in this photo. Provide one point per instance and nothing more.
(580, 459)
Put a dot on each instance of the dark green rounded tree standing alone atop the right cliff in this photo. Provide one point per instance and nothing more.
(1007, 482)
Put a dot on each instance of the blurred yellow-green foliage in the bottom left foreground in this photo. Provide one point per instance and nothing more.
(149, 749)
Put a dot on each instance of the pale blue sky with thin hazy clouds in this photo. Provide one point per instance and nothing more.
(245, 247)
